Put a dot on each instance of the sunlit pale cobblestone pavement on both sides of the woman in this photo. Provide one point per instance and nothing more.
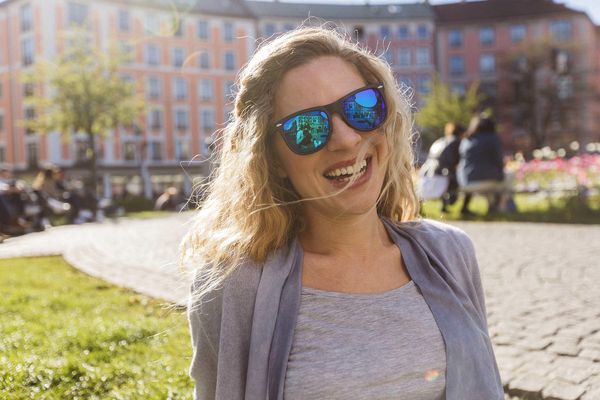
(540, 280)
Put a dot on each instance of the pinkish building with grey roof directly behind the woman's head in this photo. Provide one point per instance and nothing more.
(402, 34)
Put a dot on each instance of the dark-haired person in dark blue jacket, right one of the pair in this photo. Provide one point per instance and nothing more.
(481, 165)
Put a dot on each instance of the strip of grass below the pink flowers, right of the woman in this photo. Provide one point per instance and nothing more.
(531, 208)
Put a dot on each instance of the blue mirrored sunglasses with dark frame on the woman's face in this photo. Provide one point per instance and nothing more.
(308, 131)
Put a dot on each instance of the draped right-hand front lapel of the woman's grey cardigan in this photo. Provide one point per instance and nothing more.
(469, 357)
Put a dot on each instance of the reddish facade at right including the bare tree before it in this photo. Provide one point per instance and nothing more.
(536, 62)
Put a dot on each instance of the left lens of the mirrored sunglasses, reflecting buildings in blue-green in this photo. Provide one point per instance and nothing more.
(307, 132)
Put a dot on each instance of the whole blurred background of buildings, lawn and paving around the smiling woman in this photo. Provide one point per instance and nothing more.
(111, 112)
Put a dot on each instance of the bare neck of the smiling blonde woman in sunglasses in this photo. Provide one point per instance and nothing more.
(344, 236)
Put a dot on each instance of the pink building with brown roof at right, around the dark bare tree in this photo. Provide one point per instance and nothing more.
(476, 40)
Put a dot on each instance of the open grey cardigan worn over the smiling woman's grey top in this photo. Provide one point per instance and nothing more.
(242, 333)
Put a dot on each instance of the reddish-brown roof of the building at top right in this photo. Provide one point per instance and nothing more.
(486, 10)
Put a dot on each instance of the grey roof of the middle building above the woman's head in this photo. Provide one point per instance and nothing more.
(276, 9)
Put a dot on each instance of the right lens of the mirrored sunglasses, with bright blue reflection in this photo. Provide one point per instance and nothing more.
(365, 110)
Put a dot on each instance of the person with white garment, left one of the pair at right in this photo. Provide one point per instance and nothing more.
(445, 152)
